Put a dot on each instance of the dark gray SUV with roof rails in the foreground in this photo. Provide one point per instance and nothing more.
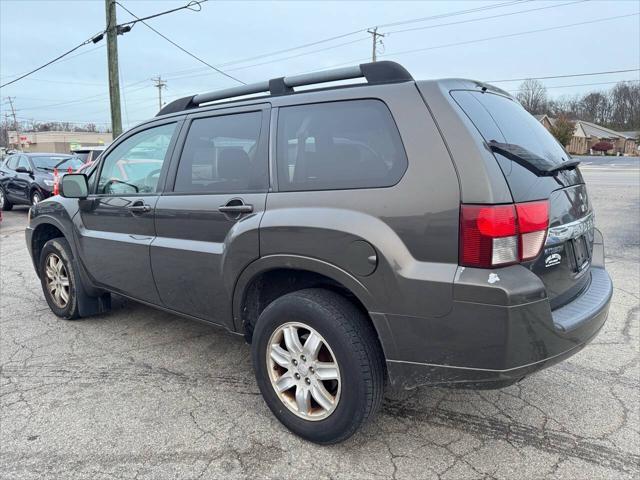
(392, 232)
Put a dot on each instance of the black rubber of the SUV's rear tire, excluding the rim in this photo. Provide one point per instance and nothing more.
(357, 351)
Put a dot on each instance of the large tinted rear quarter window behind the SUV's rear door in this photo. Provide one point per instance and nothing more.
(338, 145)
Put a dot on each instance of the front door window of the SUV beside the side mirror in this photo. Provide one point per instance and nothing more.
(134, 166)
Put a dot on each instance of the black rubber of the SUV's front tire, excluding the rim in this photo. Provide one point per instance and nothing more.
(60, 248)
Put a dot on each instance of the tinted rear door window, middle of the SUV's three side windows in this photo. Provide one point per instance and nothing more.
(223, 155)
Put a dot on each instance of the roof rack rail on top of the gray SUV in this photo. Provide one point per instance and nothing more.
(375, 73)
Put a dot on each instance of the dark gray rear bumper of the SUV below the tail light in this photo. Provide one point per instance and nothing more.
(490, 345)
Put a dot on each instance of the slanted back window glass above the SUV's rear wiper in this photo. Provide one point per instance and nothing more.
(502, 120)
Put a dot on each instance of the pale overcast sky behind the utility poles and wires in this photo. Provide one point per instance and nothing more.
(75, 89)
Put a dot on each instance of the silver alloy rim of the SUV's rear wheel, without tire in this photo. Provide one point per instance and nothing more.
(303, 371)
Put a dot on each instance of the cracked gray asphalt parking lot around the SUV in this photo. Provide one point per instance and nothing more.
(141, 394)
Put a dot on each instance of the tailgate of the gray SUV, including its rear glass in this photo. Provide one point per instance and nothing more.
(565, 261)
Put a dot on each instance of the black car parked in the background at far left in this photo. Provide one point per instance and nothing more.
(28, 178)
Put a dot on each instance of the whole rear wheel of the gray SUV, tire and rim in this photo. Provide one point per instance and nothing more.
(318, 364)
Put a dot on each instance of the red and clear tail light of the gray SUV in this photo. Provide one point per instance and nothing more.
(498, 235)
